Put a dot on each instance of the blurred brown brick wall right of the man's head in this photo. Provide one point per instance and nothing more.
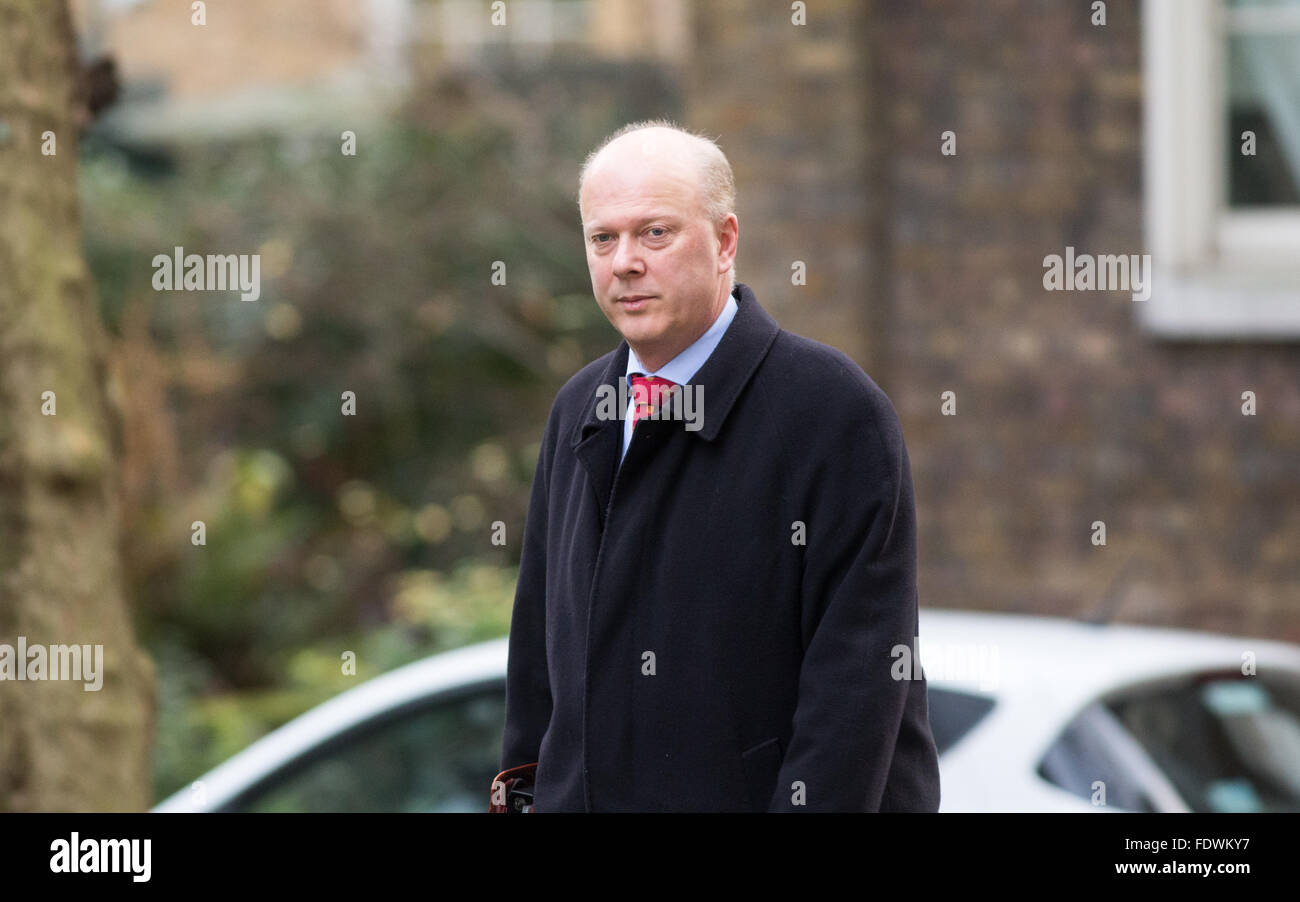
(929, 271)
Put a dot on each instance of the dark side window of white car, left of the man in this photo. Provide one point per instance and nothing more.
(436, 757)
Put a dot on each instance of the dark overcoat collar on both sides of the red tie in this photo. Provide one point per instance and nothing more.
(723, 376)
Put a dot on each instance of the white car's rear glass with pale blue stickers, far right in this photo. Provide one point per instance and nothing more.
(1228, 743)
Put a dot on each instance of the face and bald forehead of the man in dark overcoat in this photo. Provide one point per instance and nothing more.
(648, 237)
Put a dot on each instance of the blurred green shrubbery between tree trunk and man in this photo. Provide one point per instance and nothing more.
(331, 534)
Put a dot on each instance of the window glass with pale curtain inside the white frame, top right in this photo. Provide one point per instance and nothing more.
(1264, 99)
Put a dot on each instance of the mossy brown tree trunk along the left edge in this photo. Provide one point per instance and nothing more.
(63, 747)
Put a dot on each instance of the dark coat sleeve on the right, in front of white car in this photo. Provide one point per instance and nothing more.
(859, 605)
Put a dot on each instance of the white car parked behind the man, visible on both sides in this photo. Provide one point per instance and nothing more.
(1030, 714)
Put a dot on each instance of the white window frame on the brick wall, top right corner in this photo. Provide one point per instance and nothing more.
(1217, 274)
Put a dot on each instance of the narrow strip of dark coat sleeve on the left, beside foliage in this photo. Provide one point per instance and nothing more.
(528, 689)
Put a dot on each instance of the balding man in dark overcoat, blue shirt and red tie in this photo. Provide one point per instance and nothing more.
(708, 618)
